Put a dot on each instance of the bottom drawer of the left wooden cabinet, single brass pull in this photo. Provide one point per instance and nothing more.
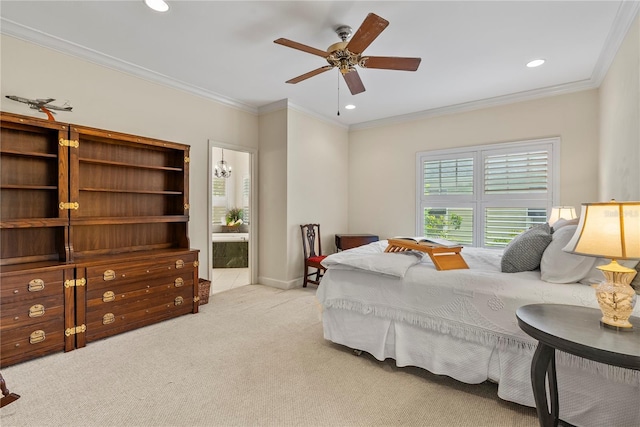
(27, 342)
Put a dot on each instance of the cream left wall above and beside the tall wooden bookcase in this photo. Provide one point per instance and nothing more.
(112, 100)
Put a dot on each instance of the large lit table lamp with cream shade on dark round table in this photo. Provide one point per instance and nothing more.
(611, 230)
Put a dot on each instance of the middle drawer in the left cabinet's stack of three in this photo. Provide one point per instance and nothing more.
(33, 312)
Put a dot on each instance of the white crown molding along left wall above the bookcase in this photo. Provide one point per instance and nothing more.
(40, 38)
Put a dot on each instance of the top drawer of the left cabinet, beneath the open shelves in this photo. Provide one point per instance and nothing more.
(31, 285)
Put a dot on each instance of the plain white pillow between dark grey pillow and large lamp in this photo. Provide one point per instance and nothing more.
(558, 266)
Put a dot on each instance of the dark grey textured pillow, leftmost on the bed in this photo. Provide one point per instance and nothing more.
(525, 251)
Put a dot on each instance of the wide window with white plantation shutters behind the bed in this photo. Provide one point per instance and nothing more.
(486, 195)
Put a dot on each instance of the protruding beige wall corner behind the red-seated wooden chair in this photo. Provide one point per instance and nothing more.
(303, 164)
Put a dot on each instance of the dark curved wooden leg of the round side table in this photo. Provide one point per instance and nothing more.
(543, 366)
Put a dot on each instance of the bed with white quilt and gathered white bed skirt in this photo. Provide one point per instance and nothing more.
(461, 323)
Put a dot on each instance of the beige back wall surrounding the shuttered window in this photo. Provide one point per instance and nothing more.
(382, 187)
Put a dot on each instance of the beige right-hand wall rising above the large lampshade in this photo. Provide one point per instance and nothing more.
(620, 122)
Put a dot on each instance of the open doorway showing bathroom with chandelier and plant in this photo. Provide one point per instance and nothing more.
(232, 216)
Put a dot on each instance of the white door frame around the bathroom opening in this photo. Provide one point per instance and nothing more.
(253, 205)
